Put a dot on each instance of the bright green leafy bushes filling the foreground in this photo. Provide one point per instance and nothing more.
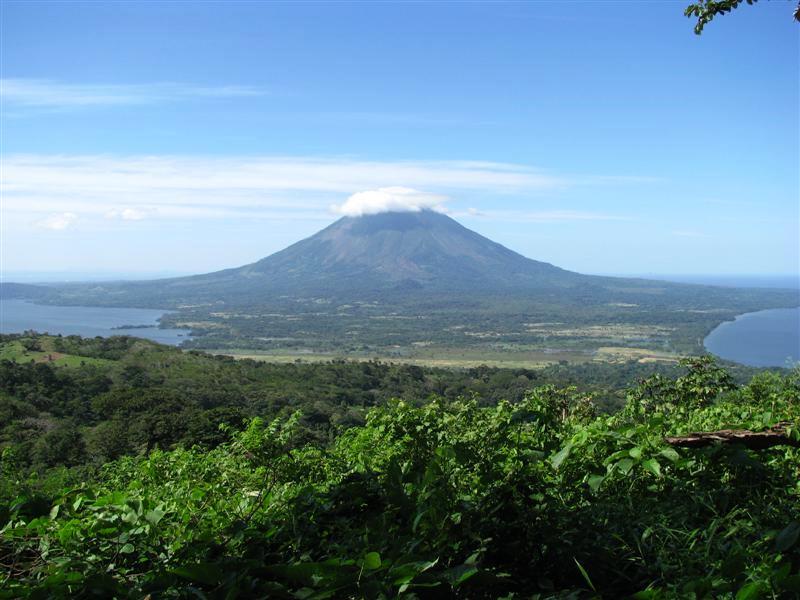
(465, 497)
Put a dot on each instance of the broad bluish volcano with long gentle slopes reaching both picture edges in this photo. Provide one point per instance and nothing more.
(413, 262)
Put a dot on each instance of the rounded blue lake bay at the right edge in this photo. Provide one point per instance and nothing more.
(768, 338)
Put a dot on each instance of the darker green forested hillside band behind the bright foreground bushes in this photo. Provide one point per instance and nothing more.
(122, 396)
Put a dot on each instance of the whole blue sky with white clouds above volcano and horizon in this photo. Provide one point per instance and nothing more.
(604, 137)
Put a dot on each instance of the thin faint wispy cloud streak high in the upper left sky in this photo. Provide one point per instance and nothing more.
(45, 93)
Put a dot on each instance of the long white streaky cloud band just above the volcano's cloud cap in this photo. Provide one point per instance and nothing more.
(170, 175)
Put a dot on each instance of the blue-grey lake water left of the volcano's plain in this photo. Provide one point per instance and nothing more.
(17, 316)
